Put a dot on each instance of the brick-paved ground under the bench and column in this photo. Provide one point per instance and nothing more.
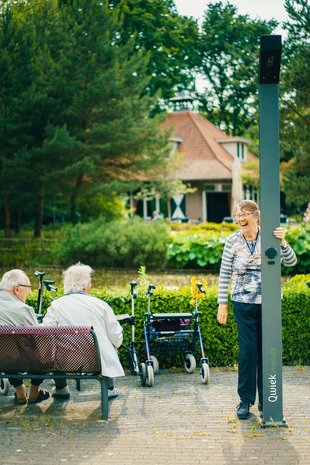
(178, 421)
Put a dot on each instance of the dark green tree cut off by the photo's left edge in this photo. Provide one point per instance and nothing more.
(15, 77)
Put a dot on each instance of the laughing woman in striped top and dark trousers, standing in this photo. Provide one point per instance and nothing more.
(241, 261)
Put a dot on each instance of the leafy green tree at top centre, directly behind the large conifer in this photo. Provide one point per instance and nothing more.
(169, 39)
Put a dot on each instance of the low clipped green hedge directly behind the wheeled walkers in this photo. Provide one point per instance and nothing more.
(220, 342)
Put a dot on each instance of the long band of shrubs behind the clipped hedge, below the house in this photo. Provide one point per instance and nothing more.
(132, 243)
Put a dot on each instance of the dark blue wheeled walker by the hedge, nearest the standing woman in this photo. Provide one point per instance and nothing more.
(171, 331)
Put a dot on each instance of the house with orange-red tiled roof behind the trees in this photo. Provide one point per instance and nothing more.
(210, 163)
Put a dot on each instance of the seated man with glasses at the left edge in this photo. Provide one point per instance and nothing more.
(14, 289)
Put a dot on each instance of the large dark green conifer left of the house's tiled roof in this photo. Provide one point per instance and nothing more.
(108, 105)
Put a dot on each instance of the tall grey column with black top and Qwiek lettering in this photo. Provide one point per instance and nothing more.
(269, 73)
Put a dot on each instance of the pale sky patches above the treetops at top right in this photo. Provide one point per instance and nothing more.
(264, 9)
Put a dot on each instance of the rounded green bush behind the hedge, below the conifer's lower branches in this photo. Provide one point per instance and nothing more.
(126, 243)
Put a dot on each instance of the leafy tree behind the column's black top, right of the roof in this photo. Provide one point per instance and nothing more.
(228, 48)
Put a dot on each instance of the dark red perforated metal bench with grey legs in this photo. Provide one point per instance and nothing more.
(52, 353)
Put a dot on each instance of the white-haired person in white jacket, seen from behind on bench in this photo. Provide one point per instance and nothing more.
(78, 308)
